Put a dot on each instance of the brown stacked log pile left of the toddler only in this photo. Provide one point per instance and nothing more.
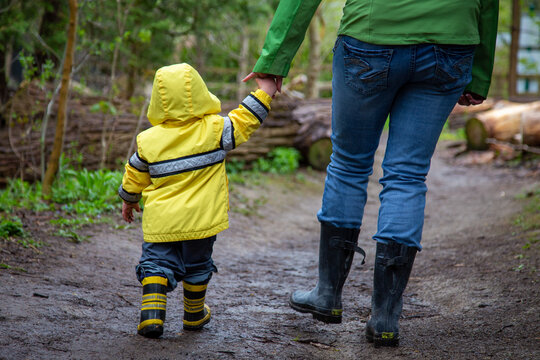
(20, 153)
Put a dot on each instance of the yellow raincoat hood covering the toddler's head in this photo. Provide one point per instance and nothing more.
(179, 93)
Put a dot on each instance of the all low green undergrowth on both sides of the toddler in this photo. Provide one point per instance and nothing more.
(81, 197)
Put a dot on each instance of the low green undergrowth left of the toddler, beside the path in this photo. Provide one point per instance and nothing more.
(79, 197)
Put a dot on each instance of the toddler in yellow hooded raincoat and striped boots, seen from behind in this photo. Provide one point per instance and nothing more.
(179, 172)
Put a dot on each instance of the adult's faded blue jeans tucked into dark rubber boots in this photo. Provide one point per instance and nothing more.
(417, 86)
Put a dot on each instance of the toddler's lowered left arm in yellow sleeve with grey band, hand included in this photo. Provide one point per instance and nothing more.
(136, 178)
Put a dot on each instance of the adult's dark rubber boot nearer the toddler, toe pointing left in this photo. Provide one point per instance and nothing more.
(336, 251)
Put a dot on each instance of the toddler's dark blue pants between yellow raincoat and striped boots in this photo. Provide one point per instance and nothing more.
(189, 260)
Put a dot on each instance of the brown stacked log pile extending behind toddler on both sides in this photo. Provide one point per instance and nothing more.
(291, 123)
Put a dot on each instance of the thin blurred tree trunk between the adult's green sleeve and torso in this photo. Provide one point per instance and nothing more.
(314, 64)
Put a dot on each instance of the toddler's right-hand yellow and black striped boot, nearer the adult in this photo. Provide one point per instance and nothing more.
(196, 312)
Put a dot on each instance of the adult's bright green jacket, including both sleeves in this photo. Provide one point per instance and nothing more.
(391, 22)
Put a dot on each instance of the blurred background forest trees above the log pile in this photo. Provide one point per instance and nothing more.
(122, 42)
